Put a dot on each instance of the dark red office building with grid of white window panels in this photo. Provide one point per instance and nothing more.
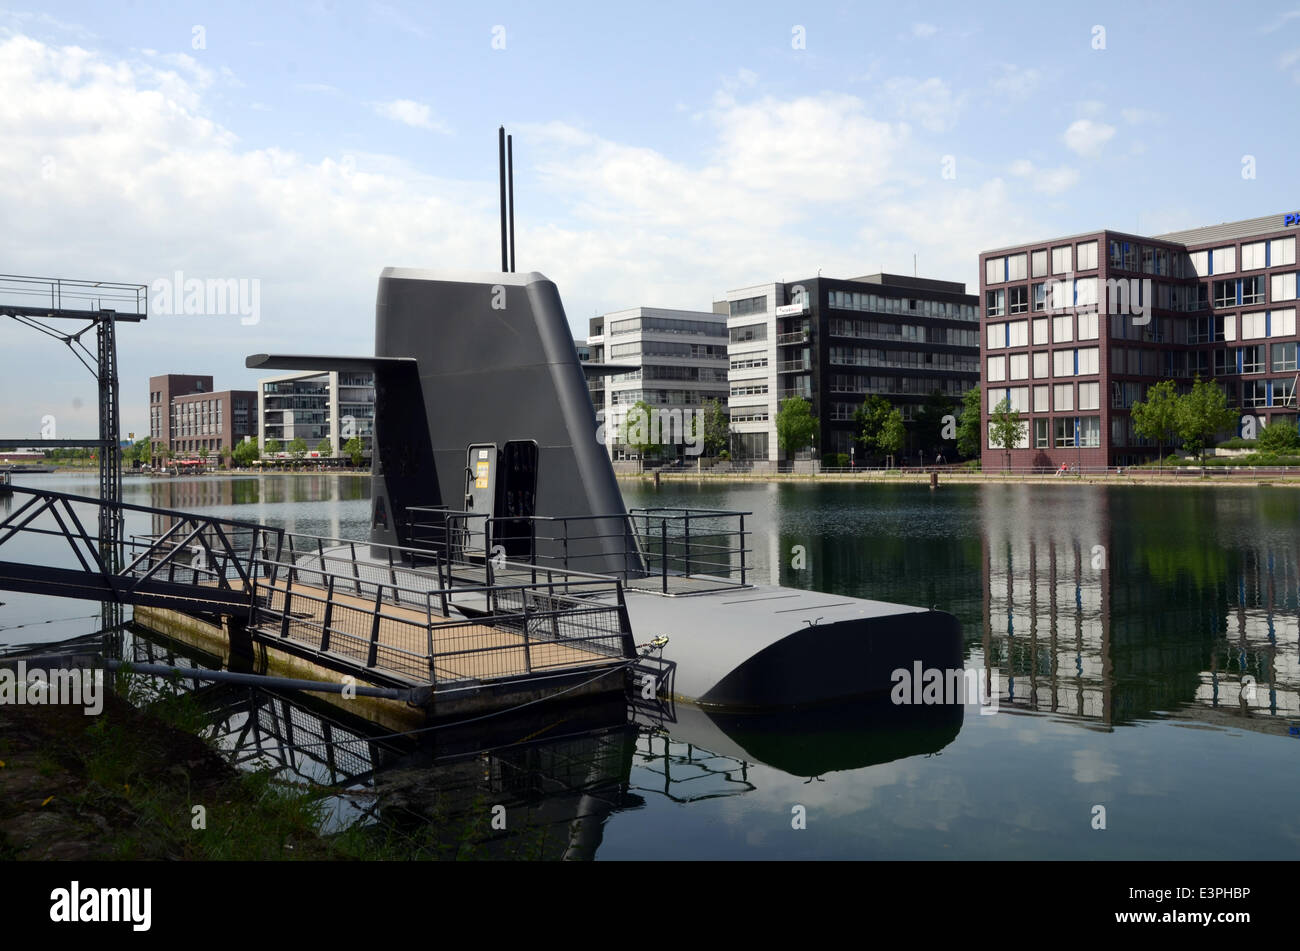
(1077, 329)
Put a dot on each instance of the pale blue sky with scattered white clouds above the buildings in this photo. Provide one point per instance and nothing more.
(664, 154)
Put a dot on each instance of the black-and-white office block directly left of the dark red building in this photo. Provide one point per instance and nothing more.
(835, 342)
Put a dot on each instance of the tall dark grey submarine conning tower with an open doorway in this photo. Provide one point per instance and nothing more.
(493, 414)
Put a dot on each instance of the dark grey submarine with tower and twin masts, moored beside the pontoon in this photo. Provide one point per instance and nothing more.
(484, 419)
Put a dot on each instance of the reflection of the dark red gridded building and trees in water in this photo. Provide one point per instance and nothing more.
(1085, 616)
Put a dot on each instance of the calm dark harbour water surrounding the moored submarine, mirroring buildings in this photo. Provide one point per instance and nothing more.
(1146, 642)
